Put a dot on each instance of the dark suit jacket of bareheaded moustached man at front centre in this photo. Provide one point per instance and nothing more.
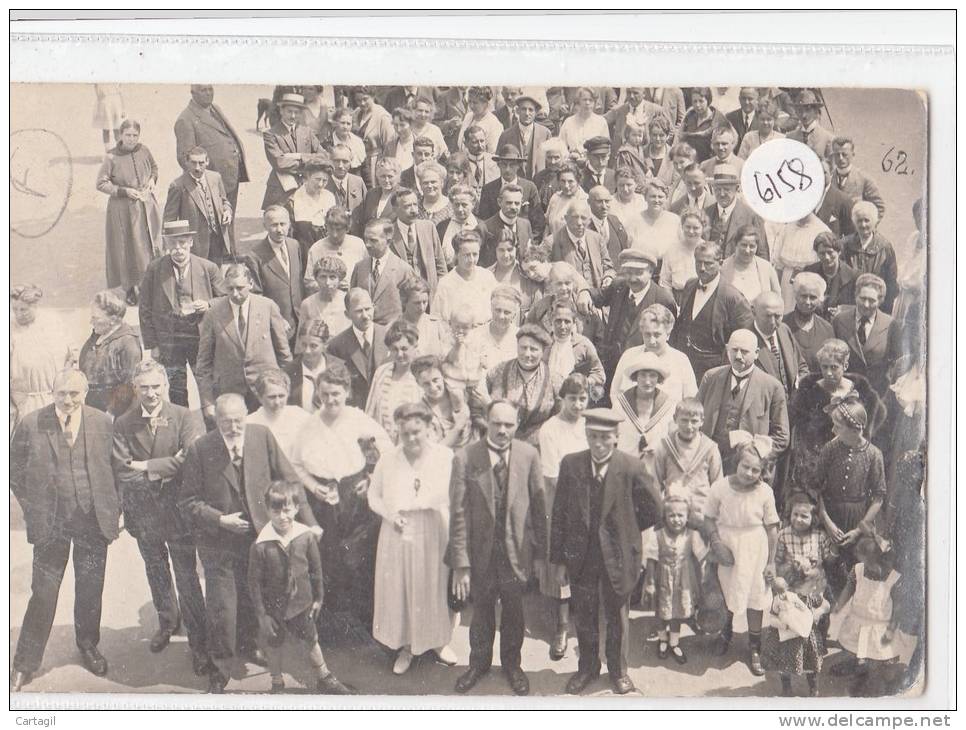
(472, 511)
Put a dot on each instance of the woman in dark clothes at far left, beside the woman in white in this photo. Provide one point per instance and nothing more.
(110, 355)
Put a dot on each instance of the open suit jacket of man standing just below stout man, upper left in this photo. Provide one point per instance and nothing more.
(185, 202)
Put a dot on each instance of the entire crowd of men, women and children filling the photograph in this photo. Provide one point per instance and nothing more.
(491, 340)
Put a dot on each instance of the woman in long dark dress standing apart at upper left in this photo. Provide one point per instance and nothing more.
(133, 231)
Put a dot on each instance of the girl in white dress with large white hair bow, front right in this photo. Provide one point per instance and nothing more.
(741, 518)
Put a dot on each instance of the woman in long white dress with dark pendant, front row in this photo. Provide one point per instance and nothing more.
(410, 492)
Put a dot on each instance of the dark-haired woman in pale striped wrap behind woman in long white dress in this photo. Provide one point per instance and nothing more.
(393, 384)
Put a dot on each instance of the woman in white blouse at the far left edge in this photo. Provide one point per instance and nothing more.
(39, 349)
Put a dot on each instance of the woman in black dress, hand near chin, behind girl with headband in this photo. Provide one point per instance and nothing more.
(812, 426)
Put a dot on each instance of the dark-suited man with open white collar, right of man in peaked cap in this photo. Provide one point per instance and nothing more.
(710, 311)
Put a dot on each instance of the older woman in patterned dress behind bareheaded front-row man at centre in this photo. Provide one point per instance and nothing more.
(527, 381)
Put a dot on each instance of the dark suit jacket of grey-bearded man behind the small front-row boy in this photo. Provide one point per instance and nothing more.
(210, 479)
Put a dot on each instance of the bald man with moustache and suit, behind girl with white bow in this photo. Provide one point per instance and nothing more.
(741, 396)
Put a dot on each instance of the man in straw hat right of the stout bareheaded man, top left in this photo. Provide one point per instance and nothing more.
(288, 146)
